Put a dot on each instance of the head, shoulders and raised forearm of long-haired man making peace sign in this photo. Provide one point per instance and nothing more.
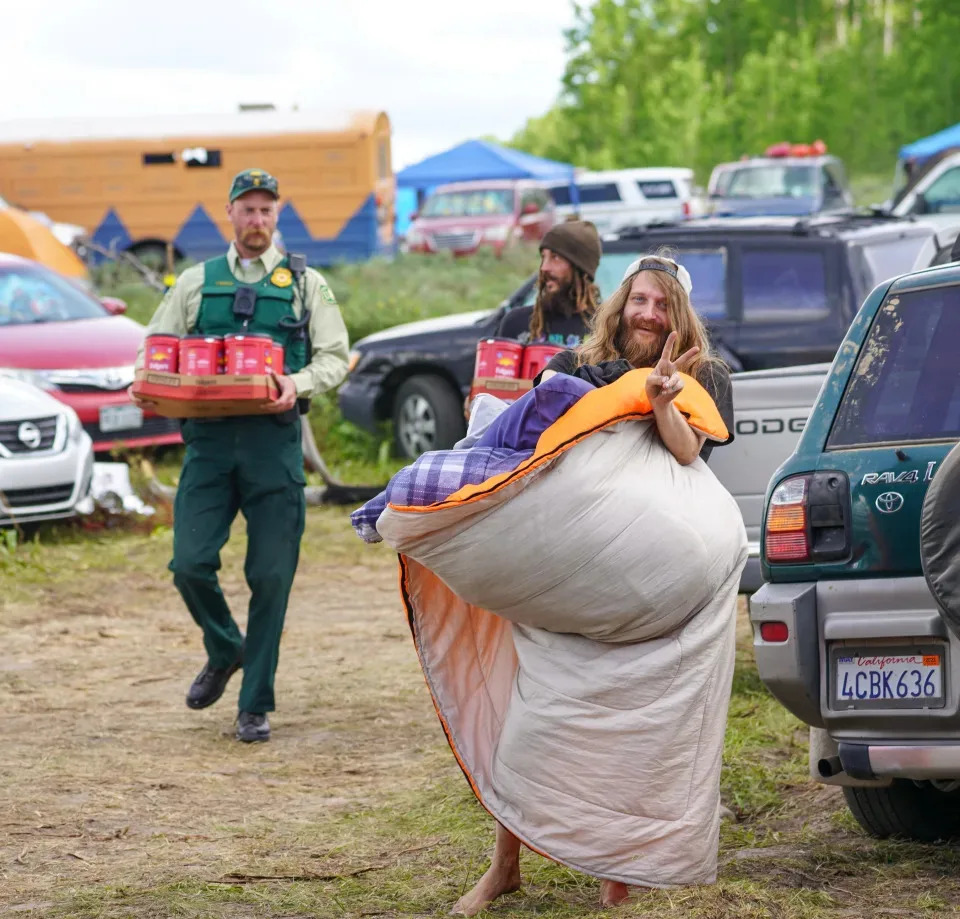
(648, 320)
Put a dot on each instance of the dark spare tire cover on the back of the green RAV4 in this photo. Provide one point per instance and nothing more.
(940, 538)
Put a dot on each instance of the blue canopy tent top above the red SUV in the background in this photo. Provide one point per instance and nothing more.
(480, 159)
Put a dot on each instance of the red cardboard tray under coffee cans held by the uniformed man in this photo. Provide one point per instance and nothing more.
(176, 395)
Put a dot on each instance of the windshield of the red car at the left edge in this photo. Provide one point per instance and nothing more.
(31, 294)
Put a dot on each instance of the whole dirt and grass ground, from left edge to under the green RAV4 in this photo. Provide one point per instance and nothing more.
(118, 801)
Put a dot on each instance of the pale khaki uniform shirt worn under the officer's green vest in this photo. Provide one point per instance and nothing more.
(327, 365)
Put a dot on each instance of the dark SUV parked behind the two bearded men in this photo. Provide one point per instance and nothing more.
(774, 292)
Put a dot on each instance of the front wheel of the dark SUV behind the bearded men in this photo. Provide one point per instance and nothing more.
(427, 415)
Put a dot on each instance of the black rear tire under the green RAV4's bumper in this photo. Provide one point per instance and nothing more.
(914, 810)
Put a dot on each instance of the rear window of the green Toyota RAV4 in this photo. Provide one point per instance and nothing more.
(905, 386)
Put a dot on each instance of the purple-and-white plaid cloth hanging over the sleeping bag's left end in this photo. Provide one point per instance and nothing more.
(433, 477)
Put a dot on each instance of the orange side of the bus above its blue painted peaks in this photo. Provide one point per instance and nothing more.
(326, 176)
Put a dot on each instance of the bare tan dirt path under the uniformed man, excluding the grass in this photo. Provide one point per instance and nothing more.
(107, 777)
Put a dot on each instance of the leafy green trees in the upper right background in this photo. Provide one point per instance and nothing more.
(696, 82)
